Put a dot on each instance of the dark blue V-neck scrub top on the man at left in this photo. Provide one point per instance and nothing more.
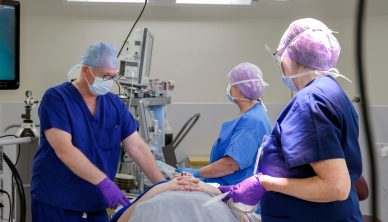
(97, 137)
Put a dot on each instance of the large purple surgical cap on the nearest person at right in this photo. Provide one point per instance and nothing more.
(310, 43)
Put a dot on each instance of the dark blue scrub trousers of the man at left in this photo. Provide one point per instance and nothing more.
(47, 213)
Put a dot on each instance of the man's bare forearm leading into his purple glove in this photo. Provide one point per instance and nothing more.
(80, 165)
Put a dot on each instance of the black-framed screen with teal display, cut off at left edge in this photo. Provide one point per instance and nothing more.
(9, 44)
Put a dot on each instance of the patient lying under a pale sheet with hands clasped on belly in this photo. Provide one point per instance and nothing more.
(180, 199)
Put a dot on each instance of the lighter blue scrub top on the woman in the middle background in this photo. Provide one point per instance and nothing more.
(240, 139)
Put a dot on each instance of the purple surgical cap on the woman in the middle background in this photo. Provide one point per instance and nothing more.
(248, 78)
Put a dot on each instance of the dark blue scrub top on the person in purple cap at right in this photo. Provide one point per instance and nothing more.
(319, 123)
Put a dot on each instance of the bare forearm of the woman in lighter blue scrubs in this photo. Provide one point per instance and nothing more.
(222, 167)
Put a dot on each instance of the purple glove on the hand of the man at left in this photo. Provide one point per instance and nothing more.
(113, 195)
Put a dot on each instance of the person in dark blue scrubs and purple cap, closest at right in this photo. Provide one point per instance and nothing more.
(312, 158)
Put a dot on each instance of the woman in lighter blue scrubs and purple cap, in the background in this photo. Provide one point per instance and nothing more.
(233, 154)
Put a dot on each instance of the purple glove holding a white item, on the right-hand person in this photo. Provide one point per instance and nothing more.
(249, 191)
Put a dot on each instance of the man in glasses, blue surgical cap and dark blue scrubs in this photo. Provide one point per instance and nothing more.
(82, 128)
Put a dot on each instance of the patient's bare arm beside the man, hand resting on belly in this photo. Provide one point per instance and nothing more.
(182, 183)
